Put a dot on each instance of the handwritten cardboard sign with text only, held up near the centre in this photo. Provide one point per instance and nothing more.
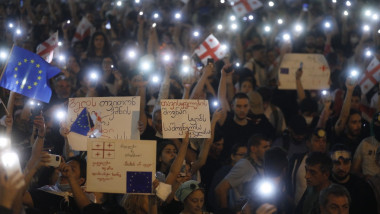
(180, 116)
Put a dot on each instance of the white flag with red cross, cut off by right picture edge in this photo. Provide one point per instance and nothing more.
(371, 76)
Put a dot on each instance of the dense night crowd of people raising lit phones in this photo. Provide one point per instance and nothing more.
(270, 151)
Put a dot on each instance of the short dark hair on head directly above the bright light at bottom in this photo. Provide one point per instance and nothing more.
(275, 162)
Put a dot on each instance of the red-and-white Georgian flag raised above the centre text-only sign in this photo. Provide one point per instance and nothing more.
(210, 48)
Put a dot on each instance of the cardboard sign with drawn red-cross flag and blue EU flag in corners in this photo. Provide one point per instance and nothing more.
(120, 166)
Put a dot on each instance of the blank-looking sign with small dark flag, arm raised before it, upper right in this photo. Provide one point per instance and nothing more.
(316, 72)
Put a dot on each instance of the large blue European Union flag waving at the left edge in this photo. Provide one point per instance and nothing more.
(28, 74)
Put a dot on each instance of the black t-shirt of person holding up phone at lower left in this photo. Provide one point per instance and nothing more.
(49, 203)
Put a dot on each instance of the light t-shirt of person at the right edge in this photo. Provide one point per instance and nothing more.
(366, 154)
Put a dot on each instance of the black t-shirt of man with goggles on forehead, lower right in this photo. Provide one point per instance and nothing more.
(362, 197)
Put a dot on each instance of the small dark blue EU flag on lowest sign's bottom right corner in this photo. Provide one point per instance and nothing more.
(139, 182)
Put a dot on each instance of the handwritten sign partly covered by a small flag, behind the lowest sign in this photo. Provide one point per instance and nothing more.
(111, 118)
